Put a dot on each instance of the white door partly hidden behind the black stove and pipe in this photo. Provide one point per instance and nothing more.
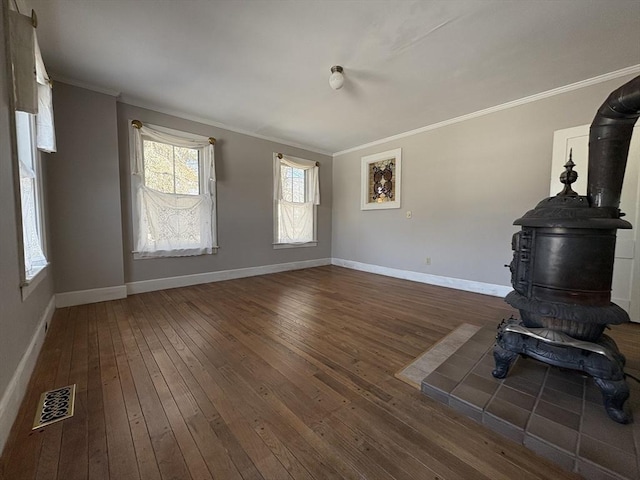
(626, 269)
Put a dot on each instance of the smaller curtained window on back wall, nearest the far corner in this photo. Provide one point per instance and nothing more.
(296, 195)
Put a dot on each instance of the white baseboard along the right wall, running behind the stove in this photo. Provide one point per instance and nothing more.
(457, 283)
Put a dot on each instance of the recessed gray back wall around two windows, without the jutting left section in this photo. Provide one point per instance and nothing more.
(244, 167)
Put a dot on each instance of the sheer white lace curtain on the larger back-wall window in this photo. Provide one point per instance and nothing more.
(173, 225)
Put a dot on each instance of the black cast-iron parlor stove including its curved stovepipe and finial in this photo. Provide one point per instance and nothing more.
(562, 266)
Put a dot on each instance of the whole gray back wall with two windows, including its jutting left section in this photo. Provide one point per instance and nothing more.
(90, 199)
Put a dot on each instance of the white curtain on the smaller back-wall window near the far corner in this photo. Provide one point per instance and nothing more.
(296, 220)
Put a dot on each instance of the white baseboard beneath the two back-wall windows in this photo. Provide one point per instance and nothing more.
(196, 279)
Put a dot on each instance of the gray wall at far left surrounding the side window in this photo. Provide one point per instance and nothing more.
(18, 319)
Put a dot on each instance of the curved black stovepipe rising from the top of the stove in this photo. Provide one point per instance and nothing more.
(609, 139)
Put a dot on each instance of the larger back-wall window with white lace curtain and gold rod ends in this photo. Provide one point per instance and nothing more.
(173, 181)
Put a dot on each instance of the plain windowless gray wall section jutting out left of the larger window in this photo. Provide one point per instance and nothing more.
(84, 186)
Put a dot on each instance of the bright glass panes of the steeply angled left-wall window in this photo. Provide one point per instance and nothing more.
(30, 196)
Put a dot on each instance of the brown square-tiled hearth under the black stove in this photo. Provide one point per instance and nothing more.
(556, 413)
